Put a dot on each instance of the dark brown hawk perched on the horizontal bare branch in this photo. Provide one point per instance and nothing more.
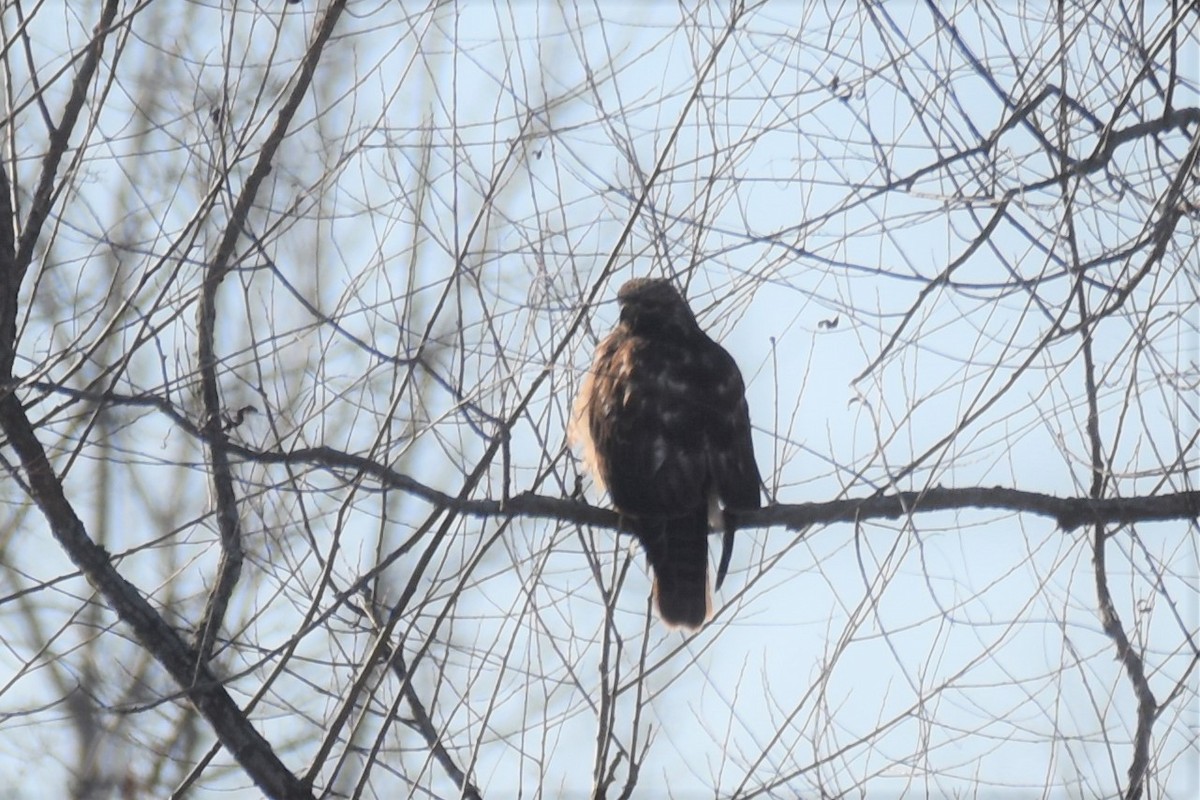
(663, 424)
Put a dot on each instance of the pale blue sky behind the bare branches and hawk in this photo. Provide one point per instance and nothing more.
(812, 196)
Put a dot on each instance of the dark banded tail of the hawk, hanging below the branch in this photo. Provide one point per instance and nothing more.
(677, 550)
